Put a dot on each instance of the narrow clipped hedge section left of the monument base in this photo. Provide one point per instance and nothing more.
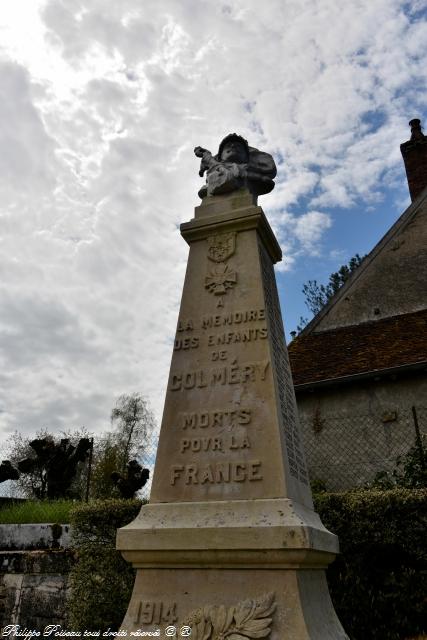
(101, 581)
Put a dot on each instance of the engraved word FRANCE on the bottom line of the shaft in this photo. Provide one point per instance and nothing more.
(218, 472)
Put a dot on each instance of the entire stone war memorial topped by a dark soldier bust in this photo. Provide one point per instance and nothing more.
(229, 545)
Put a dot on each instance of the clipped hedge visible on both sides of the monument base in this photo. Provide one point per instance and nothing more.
(377, 584)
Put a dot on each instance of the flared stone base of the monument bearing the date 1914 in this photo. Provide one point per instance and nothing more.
(236, 569)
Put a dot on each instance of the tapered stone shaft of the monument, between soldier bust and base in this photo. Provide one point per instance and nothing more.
(223, 429)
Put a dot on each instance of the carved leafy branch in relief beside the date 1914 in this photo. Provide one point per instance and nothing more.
(248, 619)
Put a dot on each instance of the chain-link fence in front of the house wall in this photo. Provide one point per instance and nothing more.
(344, 451)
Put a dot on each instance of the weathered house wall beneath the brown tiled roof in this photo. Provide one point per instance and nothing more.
(353, 431)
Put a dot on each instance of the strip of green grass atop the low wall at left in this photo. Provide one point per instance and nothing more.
(33, 511)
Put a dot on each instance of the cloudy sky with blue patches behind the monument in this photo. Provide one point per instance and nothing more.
(102, 104)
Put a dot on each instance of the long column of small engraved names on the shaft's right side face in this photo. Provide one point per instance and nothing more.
(283, 375)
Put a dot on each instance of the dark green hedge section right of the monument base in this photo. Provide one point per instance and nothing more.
(378, 583)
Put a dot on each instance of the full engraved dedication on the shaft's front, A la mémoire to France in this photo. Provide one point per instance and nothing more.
(198, 441)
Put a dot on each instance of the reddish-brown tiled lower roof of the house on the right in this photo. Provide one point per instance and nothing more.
(358, 349)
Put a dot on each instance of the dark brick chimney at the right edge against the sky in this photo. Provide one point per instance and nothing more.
(414, 153)
